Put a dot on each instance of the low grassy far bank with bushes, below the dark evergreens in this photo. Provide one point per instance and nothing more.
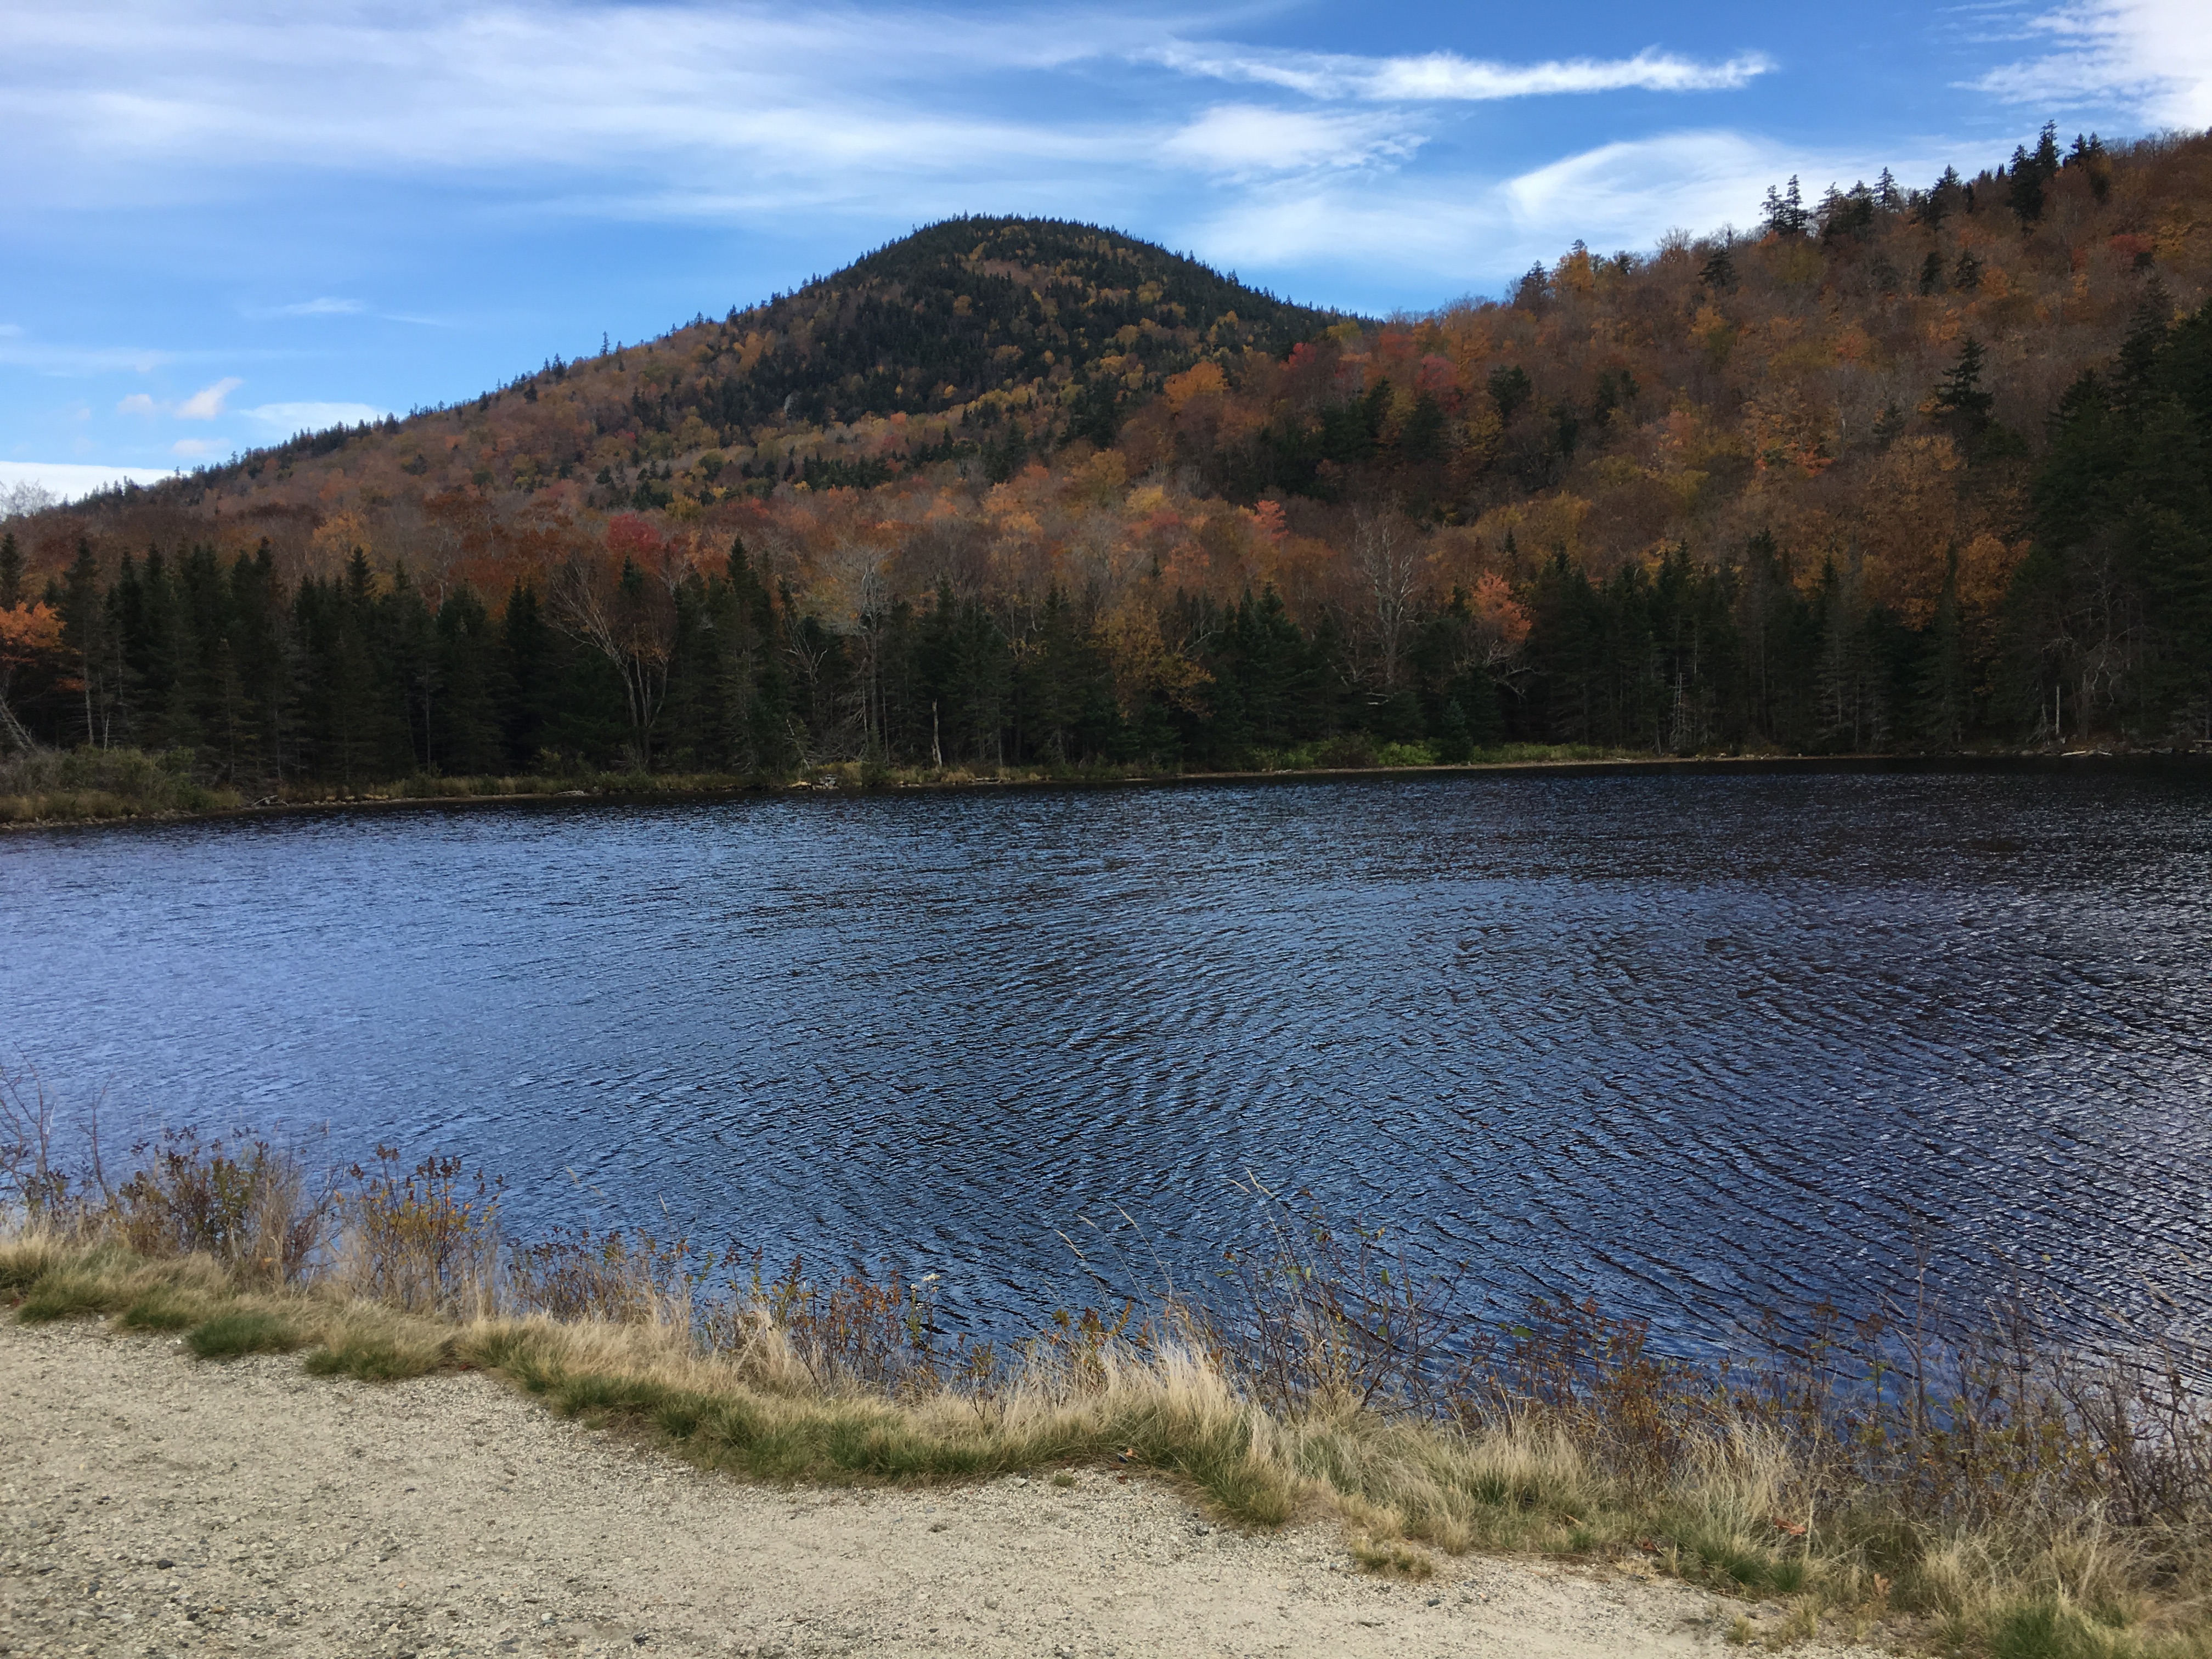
(138, 789)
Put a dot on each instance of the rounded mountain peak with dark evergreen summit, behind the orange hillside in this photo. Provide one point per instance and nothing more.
(990, 326)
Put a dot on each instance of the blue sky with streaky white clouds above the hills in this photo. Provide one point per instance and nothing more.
(229, 222)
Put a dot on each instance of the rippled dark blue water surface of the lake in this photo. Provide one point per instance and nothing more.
(1698, 1045)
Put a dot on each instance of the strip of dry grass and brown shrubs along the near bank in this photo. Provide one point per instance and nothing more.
(1974, 1494)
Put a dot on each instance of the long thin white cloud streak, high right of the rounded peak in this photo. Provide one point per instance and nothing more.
(1448, 76)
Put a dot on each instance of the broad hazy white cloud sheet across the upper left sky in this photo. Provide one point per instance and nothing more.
(826, 94)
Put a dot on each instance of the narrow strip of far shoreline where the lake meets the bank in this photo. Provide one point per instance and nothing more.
(822, 784)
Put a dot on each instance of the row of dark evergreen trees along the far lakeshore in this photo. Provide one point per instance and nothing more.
(366, 676)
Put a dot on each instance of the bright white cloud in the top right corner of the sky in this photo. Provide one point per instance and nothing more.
(2151, 59)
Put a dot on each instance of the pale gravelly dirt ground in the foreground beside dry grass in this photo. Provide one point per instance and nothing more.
(165, 1507)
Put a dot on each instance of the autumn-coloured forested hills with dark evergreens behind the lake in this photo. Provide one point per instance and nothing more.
(1906, 470)
